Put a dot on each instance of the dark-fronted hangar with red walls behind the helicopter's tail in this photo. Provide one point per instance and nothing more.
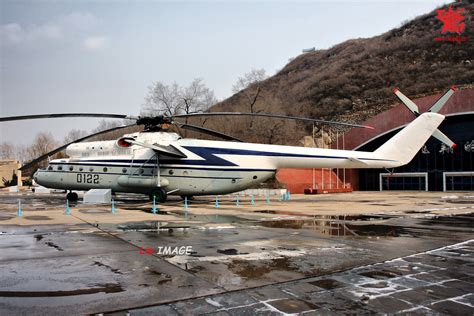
(435, 168)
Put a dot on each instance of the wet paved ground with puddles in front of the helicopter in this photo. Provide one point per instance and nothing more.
(266, 261)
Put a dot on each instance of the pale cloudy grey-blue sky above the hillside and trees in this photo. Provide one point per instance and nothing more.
(101, 56)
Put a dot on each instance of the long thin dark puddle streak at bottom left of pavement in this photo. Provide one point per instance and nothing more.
(105, 288)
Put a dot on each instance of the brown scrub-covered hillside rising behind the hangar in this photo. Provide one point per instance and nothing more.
(353, 81)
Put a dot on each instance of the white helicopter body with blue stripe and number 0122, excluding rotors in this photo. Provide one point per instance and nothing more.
(212, 167)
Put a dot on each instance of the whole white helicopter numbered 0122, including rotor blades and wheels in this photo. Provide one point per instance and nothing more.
(159, 163)
